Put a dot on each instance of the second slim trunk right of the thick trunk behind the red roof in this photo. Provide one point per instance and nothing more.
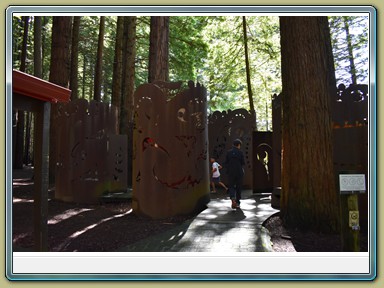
(99, 61)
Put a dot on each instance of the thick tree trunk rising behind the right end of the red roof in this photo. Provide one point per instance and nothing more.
(59, 74)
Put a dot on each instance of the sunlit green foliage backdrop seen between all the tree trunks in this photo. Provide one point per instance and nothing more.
(206, 49)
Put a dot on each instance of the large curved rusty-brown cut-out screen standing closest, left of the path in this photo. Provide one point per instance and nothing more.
(170, 152)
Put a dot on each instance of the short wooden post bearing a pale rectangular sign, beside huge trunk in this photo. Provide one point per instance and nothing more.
(351, 185)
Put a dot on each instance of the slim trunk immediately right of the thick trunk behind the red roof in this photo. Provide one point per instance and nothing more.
(74, 84)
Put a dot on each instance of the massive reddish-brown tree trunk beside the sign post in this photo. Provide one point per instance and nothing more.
(309, 198)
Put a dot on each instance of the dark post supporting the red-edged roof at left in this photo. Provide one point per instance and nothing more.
(36, 95)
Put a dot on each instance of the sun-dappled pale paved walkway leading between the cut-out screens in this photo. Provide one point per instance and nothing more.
(217, 229)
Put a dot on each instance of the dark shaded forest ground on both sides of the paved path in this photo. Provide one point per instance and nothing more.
(108, 226)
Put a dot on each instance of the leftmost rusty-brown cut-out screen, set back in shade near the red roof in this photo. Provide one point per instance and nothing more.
(91, 158)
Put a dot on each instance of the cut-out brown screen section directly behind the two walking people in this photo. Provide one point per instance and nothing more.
(224, 127)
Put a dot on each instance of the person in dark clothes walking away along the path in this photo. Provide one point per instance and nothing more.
(234, 164)
